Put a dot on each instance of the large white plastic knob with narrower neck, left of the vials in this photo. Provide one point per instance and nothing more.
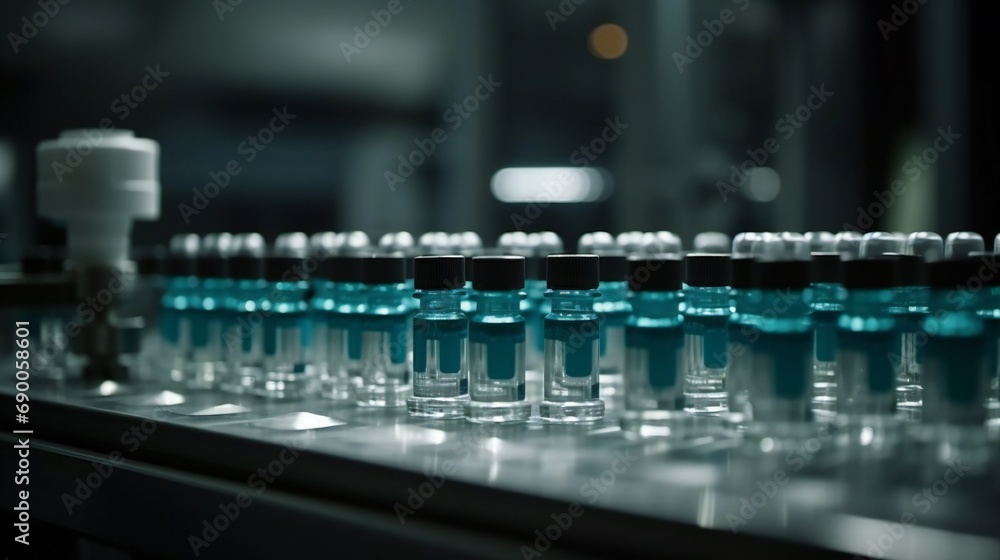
(98, 182)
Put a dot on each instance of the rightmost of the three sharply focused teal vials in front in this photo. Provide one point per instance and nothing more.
(571, 384)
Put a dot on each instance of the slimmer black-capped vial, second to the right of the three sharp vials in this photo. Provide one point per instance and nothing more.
(706, 332)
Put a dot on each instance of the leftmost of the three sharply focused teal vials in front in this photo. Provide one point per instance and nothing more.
(440, 339)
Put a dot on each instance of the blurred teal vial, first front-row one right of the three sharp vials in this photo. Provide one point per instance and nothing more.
(654, 347)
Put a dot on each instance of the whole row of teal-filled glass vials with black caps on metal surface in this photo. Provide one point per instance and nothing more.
(769, 333)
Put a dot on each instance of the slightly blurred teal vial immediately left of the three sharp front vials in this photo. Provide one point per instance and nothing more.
(385, 371)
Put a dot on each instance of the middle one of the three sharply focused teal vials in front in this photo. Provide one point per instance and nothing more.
(497, 342)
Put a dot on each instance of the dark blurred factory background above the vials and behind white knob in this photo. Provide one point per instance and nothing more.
(666, 96)
